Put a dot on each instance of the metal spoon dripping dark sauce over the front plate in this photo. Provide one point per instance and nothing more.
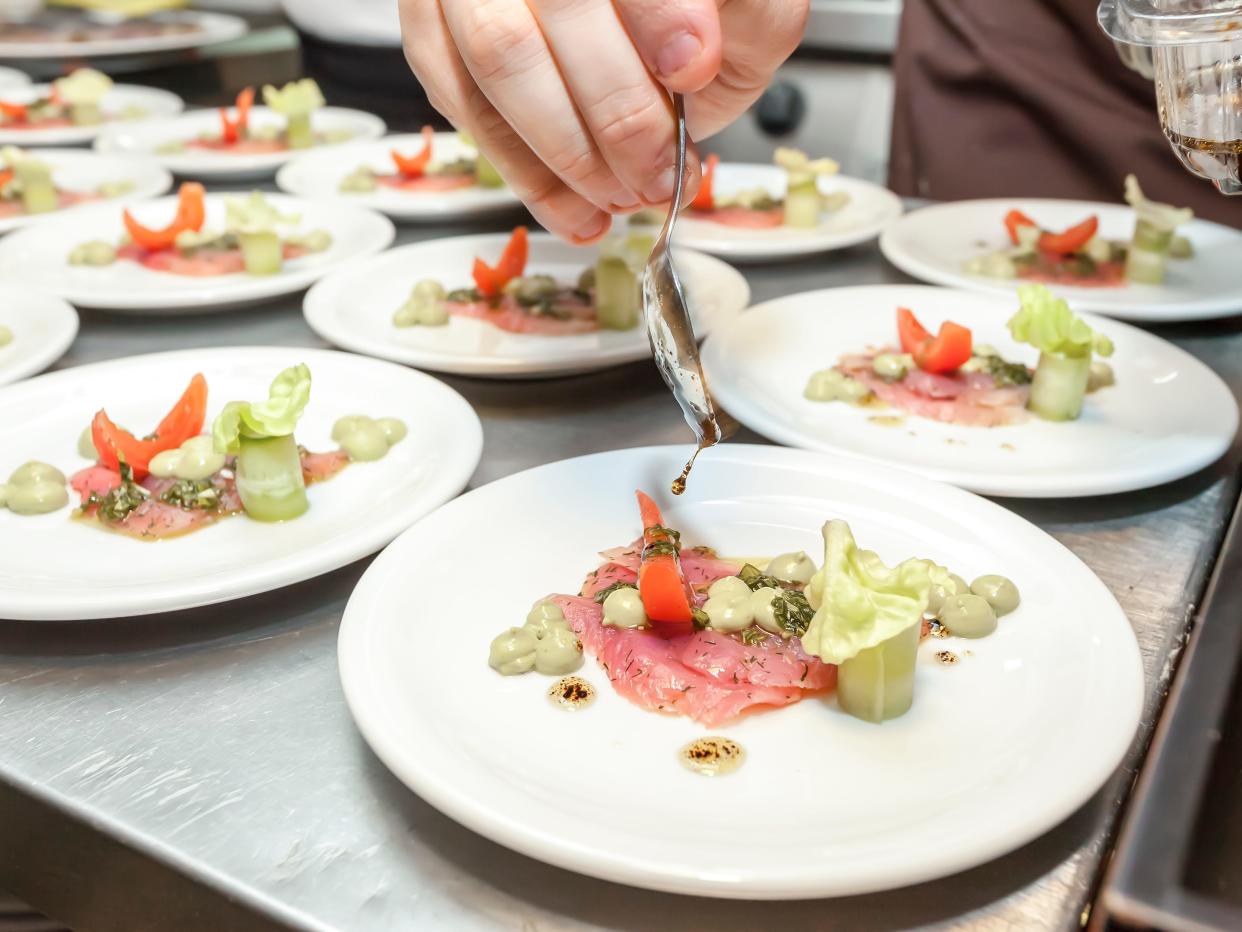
(669, 322)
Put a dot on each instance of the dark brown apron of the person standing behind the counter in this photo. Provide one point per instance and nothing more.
(1028, 99)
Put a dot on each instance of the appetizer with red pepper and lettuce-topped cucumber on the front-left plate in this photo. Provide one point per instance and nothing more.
(177, 479)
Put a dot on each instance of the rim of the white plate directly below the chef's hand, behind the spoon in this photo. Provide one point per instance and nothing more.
(319, 306)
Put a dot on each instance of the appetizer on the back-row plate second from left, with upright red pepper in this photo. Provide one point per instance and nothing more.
(296, 103)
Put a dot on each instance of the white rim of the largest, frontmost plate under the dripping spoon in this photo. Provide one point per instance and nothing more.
(358, 688)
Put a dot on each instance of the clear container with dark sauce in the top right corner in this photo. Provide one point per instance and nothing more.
(1193, 49)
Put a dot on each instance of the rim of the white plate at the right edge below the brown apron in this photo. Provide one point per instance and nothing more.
(1207, 309)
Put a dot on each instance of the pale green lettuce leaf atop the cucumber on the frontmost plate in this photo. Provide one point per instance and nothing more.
(860, 602)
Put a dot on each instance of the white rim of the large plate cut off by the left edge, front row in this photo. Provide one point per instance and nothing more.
(368, 540)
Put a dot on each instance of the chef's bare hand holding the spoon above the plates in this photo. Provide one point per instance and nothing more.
(568, 98)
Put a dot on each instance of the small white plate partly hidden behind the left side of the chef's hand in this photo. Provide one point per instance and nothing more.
(319, 175)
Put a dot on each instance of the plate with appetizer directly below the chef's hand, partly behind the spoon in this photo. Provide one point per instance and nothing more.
(509, 306)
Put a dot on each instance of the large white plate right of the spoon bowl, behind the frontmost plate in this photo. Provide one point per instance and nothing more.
(1168, 416)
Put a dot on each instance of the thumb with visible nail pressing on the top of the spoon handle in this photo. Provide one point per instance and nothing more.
(680, 40)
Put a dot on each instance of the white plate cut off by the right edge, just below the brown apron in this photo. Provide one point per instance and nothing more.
(932, 244)
